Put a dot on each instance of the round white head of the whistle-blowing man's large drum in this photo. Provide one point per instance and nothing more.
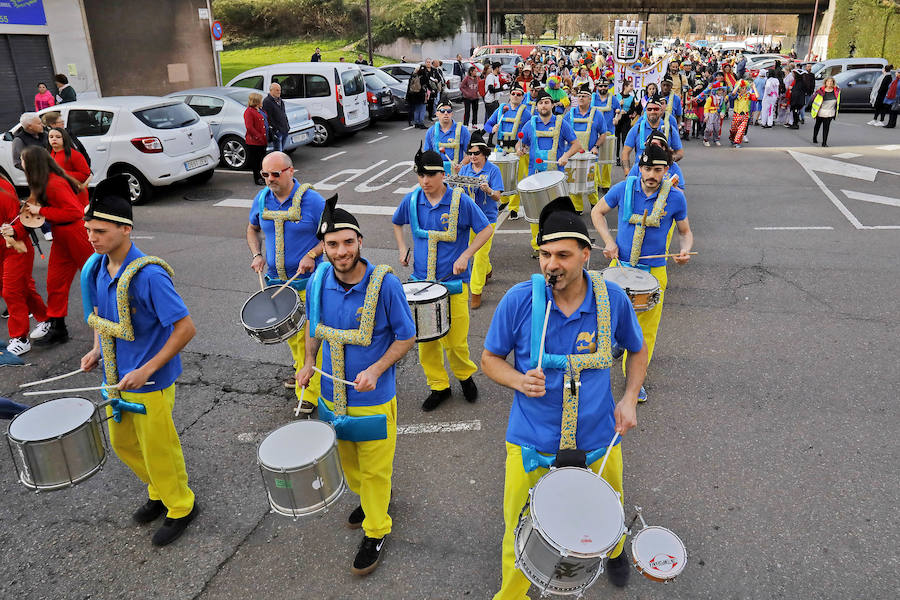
(577, 510)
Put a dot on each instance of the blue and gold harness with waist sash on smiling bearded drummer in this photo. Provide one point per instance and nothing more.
(354, 429)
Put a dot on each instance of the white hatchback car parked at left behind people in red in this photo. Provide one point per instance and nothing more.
(155, 141)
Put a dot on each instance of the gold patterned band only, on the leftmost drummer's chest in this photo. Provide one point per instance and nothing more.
(108, 330)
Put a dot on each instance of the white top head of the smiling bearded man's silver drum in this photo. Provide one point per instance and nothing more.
(296, 444)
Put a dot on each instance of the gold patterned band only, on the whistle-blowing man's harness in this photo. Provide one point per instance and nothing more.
(601, 359)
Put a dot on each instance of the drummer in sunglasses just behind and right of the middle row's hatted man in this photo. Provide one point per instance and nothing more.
(486, 197)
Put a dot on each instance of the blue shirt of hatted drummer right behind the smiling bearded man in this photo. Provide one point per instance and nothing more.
(437, 218)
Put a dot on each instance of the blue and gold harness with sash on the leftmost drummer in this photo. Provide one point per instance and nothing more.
(108, 330)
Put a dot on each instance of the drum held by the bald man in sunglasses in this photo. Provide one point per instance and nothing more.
(273, 320)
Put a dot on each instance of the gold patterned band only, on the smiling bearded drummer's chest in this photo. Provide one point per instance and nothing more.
(362, 336)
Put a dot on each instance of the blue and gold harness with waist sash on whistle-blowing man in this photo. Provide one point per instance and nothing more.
(573, 364)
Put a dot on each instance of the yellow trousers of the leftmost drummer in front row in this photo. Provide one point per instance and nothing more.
(149, 446)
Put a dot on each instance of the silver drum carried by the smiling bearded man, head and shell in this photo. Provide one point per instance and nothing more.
(301, 468)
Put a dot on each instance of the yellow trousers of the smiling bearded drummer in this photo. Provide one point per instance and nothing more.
(368, 467)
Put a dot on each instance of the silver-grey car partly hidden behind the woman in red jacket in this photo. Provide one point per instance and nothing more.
(223, 109)
